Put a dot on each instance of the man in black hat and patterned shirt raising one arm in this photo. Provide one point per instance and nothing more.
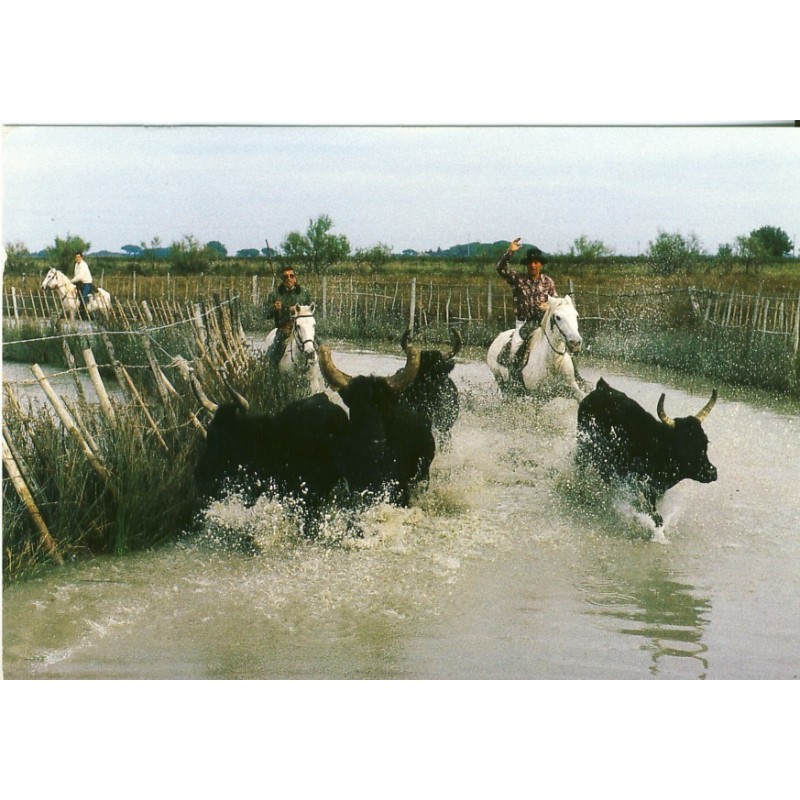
(530, 290)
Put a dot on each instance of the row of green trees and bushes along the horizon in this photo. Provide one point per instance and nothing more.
(318, 249)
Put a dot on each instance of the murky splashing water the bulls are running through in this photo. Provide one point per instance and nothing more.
(505, 568)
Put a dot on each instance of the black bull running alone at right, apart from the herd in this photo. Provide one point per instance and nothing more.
(626, 443)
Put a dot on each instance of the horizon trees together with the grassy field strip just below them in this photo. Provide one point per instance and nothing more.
(318, 251)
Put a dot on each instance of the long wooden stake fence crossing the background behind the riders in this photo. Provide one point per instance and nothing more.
(420, 303)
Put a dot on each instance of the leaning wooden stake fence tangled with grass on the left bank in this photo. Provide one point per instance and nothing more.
(152, 413)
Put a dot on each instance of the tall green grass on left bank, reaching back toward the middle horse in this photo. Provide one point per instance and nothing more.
(150, 496)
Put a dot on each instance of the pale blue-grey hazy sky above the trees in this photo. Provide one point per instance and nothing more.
(411, 187)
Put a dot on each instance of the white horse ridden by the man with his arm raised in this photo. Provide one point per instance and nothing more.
(548, 369)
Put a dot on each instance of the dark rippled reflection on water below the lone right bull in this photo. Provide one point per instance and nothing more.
(663, 611)
